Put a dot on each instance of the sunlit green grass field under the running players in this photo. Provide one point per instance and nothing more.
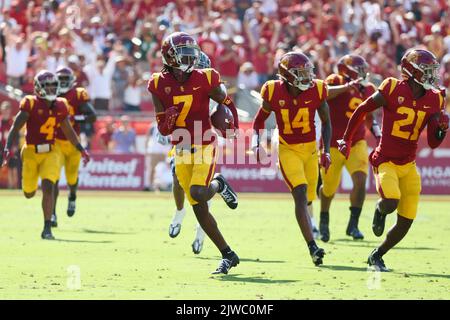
(119, 243)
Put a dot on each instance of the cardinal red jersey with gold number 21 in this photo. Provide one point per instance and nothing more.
(404, 118)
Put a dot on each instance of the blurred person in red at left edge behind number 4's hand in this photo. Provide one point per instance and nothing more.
(6, 121)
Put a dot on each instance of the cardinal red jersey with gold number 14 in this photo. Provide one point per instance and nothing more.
(294, 115)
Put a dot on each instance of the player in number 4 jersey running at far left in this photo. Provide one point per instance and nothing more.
(42, 114)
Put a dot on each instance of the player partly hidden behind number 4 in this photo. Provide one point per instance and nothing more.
(80, 111)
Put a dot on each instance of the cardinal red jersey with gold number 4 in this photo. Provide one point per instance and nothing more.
(43, 120)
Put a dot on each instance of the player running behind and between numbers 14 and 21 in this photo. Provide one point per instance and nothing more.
(355, 88)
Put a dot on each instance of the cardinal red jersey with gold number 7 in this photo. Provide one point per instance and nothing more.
(191, 100)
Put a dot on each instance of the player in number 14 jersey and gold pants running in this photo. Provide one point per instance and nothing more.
(294, 99)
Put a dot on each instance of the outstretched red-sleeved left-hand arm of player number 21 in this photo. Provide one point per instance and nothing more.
(372, 103)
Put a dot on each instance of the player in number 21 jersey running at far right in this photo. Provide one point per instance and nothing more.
(409, 105)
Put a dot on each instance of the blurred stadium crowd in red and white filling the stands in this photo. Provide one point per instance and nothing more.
(113, 46)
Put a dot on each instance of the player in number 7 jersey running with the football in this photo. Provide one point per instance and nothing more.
(181, 96)
